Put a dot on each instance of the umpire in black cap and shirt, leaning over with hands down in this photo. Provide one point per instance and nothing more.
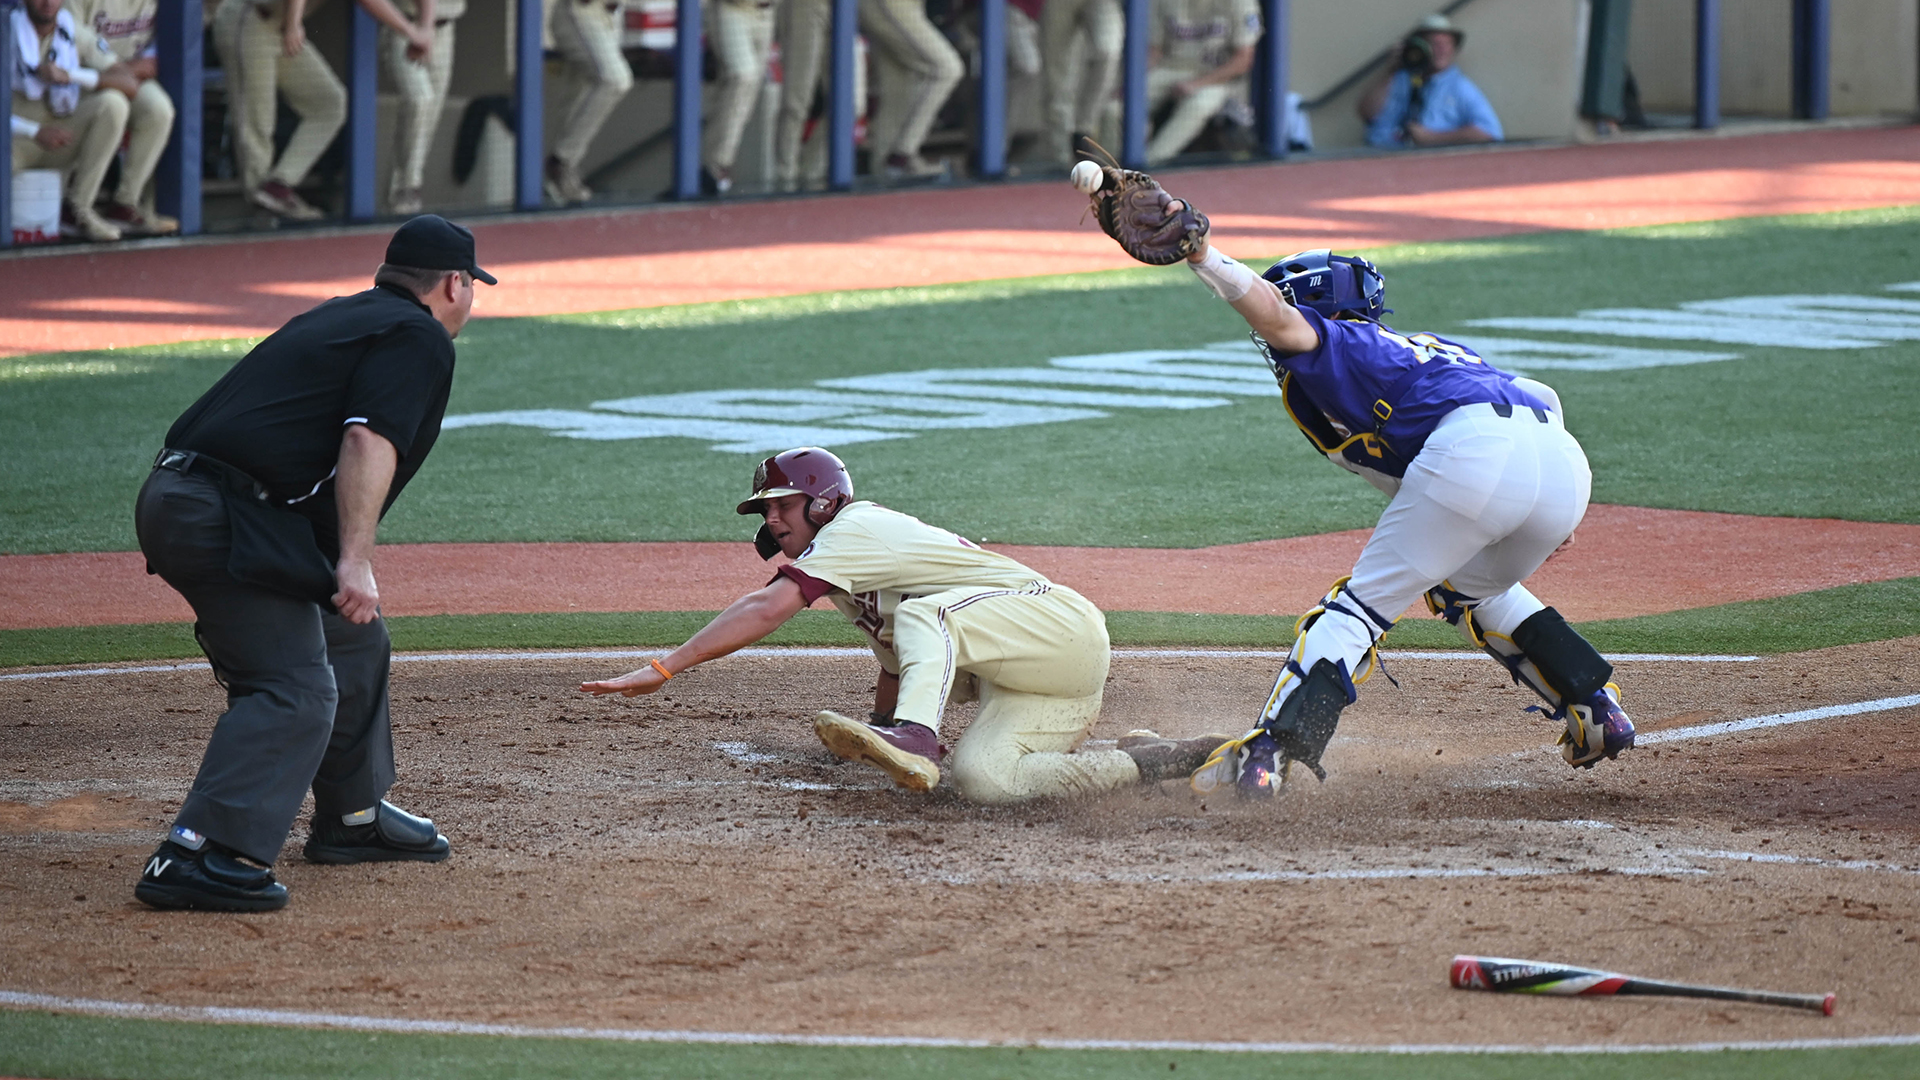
(262, 514)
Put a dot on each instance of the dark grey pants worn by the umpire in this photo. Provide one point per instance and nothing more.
(306, 689)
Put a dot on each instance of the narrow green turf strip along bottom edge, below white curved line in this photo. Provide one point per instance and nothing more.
(36, 1044)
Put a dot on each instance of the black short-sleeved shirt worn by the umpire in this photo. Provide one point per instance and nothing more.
(377, 358)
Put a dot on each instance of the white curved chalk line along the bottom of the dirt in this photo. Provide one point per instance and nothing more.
(277, 1018)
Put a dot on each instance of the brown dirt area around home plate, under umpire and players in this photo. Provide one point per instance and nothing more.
(698, 862)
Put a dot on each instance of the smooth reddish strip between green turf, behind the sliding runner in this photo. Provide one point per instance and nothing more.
(1625, 562)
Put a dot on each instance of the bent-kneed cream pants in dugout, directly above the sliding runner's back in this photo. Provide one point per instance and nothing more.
(917, 70)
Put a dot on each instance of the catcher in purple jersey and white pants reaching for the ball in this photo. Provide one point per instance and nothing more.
(1483, 478)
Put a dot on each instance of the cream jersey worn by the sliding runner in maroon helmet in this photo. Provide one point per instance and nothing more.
(873, 558)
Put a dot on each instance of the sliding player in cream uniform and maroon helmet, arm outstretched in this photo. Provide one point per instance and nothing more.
(942, 616)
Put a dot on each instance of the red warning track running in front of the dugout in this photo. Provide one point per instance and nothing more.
(683, 255)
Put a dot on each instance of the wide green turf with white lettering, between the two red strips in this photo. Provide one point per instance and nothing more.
(1783, 431)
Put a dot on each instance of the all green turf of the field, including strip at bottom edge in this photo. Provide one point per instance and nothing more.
(1781, 431)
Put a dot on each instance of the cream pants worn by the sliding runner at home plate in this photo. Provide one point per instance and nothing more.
(1040, 656)
